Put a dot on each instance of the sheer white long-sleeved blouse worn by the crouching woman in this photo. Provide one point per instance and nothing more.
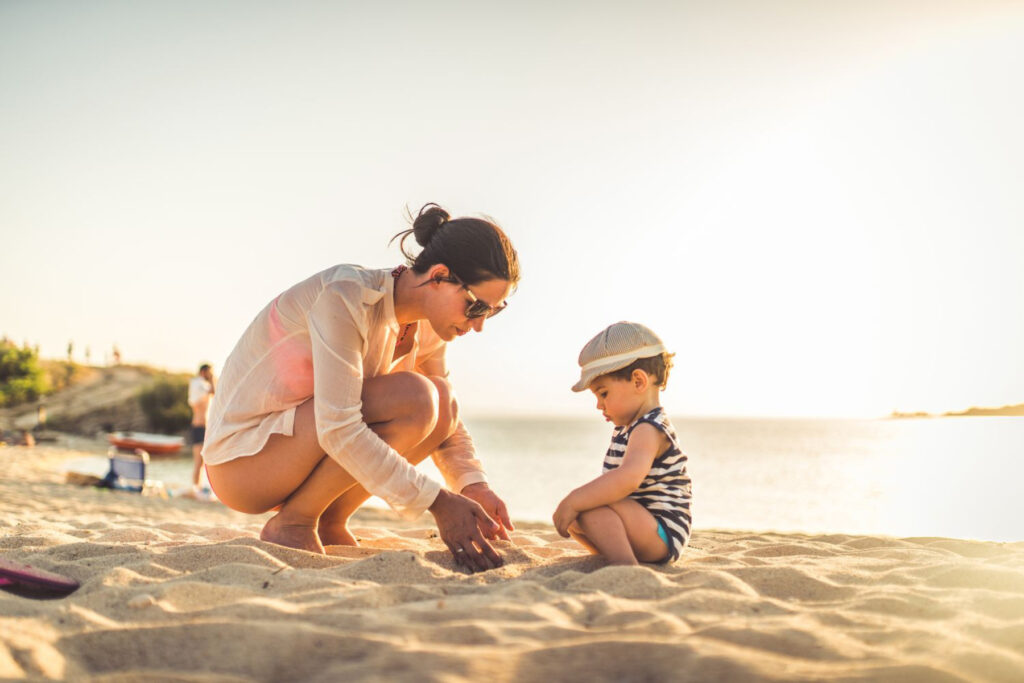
(321, 338)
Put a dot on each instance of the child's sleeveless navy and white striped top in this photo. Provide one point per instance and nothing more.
(667, 491)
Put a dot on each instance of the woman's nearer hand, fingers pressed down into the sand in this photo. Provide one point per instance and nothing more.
(459, 522)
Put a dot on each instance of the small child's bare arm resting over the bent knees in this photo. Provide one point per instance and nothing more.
(645, 445)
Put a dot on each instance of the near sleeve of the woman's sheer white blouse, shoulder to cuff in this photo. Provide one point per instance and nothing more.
(337, 333)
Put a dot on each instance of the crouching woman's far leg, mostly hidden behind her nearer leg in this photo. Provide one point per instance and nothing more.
(333, 529)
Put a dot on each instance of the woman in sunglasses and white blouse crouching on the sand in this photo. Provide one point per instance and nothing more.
(338, 389)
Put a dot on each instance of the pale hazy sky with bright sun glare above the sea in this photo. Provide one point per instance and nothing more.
(818, 206)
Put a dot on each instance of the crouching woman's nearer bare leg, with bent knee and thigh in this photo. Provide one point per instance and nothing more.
(294, 474)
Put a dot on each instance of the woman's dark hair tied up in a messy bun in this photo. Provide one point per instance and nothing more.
(474, 249)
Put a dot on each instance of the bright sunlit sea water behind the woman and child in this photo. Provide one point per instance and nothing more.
(958, 478)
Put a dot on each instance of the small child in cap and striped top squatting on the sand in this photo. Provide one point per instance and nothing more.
(639, 509)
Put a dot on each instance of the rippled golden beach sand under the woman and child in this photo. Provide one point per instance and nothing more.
(182, 590)
